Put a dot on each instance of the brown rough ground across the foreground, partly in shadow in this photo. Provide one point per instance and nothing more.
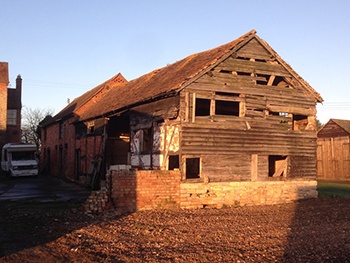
(307, 231)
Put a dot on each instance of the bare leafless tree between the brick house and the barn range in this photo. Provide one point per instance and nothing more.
(31, 119)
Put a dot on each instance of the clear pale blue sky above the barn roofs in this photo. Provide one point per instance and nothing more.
(63, 48)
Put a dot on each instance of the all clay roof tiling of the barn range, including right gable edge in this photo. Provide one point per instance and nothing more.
(172, 78)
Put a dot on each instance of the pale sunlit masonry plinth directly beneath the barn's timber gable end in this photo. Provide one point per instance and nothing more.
(245, 193)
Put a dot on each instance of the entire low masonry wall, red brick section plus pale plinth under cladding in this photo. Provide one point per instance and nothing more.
(144, 190)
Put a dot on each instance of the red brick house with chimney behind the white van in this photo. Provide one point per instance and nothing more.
(10, 107)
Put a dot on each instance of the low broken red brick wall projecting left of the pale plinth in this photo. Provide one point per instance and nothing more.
(143, 190)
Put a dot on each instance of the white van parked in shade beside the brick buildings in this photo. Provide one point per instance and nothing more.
(18, 159)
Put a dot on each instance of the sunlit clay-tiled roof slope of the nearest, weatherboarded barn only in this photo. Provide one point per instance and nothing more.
(160, 81)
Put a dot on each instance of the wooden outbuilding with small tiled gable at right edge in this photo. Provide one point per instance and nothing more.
(333, 151)
